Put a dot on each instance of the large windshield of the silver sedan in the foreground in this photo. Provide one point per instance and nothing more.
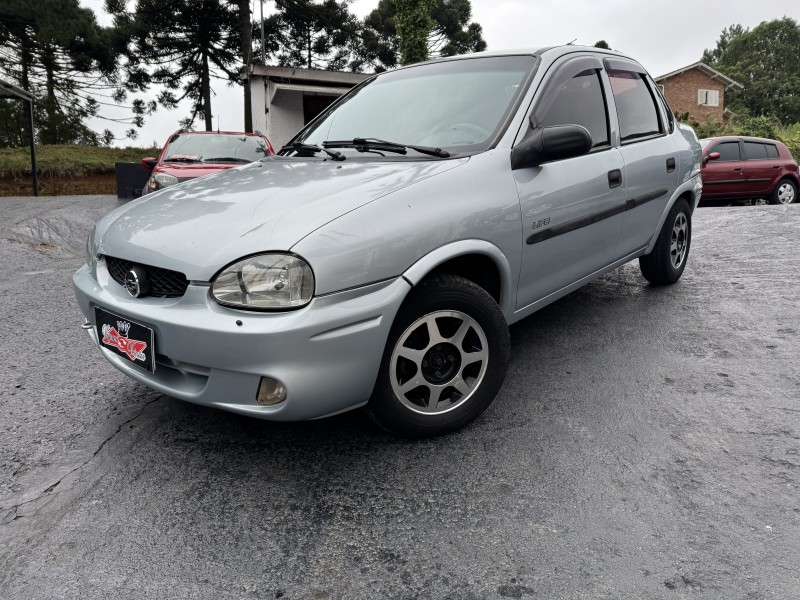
(458, 105)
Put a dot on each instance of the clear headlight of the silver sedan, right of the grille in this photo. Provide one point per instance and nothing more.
(265, 282)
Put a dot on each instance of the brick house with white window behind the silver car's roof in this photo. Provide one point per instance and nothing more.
(698, 90)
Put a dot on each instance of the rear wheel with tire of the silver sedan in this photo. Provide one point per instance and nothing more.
(665, 264)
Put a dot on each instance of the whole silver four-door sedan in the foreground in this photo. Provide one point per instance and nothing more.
(380, 257)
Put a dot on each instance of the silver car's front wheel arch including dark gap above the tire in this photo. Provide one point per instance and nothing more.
(480, 261)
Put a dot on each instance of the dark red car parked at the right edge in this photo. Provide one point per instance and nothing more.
(748, 167)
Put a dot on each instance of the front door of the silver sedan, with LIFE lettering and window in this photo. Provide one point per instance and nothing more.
(572, 208)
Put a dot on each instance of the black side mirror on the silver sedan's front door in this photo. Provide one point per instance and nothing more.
(551, 143)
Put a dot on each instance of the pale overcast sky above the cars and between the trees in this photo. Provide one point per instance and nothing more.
(662, 36)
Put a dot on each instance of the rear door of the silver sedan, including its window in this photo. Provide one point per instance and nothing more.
(648, 150)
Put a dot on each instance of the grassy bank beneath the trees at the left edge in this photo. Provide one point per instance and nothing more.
(68, 161)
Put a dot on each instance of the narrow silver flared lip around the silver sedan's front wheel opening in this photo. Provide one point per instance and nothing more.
(417, 272)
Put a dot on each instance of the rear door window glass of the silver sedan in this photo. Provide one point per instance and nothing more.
(636, 108)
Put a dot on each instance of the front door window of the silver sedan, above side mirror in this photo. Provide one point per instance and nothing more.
(581, 102)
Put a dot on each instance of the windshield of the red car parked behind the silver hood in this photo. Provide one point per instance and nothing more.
(207, 147)
